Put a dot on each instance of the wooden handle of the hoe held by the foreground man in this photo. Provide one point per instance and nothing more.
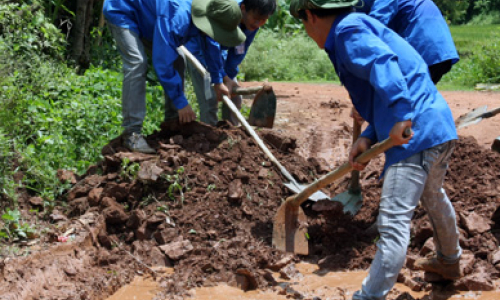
(341, 171)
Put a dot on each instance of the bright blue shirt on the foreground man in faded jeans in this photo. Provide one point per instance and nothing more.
(388, 82)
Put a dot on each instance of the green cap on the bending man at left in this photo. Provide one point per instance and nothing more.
(219, 19)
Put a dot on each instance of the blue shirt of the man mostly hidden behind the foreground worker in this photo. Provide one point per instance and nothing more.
(419, 22)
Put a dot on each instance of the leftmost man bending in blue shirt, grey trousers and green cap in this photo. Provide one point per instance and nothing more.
(164, 25)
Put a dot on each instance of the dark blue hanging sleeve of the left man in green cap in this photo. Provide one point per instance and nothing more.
(164, 55)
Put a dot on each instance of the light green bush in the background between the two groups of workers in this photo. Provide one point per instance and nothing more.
(286, 58)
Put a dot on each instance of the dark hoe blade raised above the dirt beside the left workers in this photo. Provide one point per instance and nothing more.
(263, 108)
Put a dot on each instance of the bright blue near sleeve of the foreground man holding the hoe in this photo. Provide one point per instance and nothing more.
(369, 58)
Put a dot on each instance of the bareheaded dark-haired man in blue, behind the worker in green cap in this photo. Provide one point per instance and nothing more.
(224, 69)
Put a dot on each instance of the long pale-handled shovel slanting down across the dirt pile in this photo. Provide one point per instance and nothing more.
(293, 185)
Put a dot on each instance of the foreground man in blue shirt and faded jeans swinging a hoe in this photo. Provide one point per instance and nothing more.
(390, 86)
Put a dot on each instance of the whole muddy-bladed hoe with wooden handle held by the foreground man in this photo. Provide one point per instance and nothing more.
(289, 228)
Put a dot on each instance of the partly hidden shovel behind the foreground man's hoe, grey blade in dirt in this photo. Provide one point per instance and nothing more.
(352, 199)
